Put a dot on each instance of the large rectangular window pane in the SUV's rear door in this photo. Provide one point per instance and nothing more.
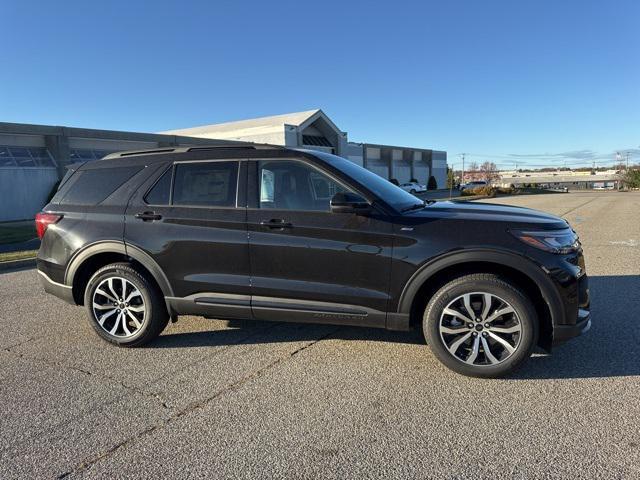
(211, 184)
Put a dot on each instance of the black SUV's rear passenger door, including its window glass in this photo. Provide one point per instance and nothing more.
(191, 219)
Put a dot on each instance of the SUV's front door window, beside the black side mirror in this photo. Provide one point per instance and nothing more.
(294, 185)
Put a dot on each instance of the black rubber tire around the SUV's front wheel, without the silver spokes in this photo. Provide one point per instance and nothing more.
(525, 313)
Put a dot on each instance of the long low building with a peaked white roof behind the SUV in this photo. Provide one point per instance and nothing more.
(34, 157)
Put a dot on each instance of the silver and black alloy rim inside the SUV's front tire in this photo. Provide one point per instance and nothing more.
(480, 329)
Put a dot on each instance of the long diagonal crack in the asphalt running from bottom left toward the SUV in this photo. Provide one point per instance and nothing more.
(88, 462)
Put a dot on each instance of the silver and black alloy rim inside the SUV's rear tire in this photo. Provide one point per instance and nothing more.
(118, 307)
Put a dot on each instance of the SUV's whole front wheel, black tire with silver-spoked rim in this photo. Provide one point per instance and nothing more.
(481, 325)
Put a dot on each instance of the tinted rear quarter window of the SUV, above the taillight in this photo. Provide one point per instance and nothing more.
(93, 186)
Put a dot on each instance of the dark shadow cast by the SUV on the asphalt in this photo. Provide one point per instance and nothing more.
(611, 348)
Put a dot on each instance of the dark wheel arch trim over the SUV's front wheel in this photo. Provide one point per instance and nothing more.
(523, 272)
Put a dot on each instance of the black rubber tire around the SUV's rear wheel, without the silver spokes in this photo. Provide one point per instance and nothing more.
(154, 316)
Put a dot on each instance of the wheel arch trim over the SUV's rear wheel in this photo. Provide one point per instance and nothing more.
(97, 255)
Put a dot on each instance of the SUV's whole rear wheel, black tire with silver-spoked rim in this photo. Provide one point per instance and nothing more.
(124, 306)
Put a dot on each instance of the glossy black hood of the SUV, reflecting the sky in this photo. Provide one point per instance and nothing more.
(520, 216)
